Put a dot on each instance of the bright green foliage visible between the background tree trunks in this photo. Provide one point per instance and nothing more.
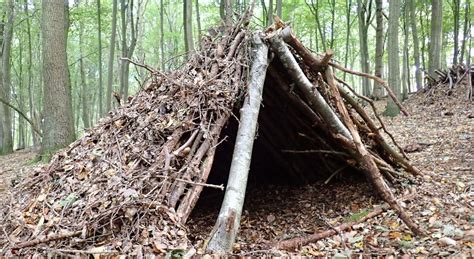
(83, 15)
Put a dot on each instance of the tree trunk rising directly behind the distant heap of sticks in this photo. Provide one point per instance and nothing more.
(436, 37)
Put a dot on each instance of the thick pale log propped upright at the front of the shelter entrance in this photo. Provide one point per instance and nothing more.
(225, 231)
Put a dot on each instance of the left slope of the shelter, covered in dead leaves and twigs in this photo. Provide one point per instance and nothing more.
(128, 185)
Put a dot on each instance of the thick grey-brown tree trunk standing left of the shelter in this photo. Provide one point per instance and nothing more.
(58, 125)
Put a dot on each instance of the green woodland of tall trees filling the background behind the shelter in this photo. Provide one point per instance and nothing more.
(402, 40)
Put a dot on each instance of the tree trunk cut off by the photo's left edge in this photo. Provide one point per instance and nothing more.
(7, 145)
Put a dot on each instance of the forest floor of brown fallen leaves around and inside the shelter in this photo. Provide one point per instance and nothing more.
(440, 138)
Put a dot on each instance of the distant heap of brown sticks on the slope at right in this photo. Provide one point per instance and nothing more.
(455, 82)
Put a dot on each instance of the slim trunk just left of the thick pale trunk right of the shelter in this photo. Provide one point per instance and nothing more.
(379, 42)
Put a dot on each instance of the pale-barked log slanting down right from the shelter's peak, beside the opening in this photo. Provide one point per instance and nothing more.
(314, 98)
